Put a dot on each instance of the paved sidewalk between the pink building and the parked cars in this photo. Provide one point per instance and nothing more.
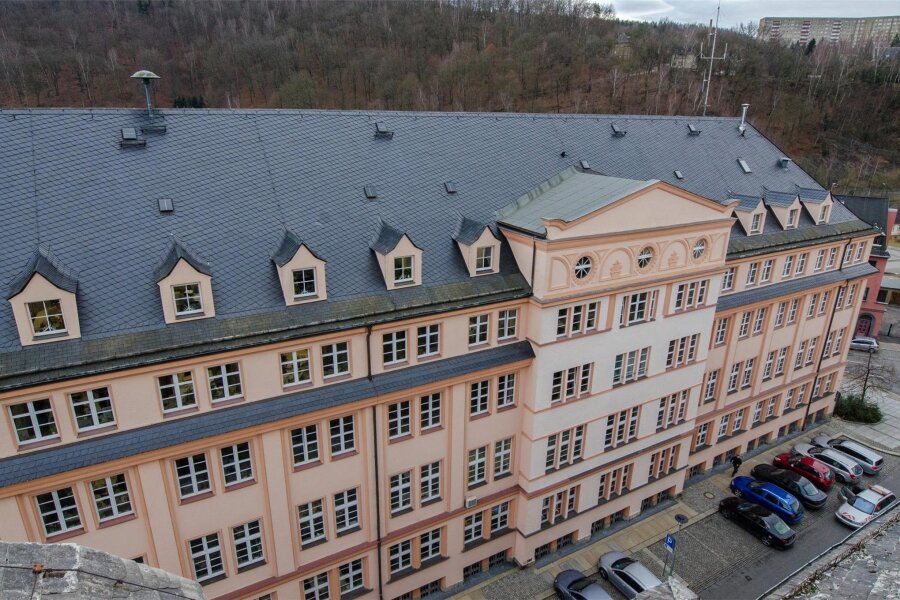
(699, 500)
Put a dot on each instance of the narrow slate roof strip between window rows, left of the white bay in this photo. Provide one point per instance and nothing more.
(43, 463)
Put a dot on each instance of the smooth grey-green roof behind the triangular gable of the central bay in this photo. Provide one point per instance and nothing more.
(567, 196)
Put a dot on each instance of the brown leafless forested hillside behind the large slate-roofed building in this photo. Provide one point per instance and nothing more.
(837, 114)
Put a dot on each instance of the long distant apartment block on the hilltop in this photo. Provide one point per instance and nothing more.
(850, 32)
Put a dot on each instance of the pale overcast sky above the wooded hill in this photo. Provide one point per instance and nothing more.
(741, 11)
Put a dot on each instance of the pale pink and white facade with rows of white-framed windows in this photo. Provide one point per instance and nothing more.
(607, 408)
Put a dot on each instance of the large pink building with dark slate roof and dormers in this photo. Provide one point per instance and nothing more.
(339, 354)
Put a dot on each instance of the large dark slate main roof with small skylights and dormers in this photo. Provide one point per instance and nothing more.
(239, 178)
